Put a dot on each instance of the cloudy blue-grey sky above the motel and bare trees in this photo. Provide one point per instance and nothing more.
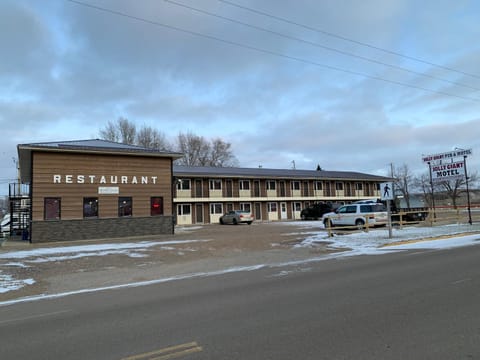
(347, 85)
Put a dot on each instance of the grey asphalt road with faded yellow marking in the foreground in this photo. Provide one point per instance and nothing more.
(410, 305)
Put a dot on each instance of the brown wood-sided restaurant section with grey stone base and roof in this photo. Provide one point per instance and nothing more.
(92, 189)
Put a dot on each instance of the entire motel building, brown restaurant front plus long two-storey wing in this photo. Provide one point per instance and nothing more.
(97, 189)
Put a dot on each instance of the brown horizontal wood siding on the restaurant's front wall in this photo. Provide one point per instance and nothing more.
(48, 164)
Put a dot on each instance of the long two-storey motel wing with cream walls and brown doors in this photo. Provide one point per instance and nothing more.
(203, 194)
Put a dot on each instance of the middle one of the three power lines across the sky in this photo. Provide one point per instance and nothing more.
(346, 53)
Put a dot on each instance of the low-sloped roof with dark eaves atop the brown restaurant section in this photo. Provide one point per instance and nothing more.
(92, 146)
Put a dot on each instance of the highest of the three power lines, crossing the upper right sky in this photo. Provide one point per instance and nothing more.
(344, 38)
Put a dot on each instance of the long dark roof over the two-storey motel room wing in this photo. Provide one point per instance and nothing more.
(213, 172)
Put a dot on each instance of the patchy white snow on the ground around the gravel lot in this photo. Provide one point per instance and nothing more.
(355, 243)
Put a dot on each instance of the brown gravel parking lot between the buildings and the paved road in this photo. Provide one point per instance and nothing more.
(200, 249)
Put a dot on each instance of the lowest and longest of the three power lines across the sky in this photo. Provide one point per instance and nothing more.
(270, 52)
